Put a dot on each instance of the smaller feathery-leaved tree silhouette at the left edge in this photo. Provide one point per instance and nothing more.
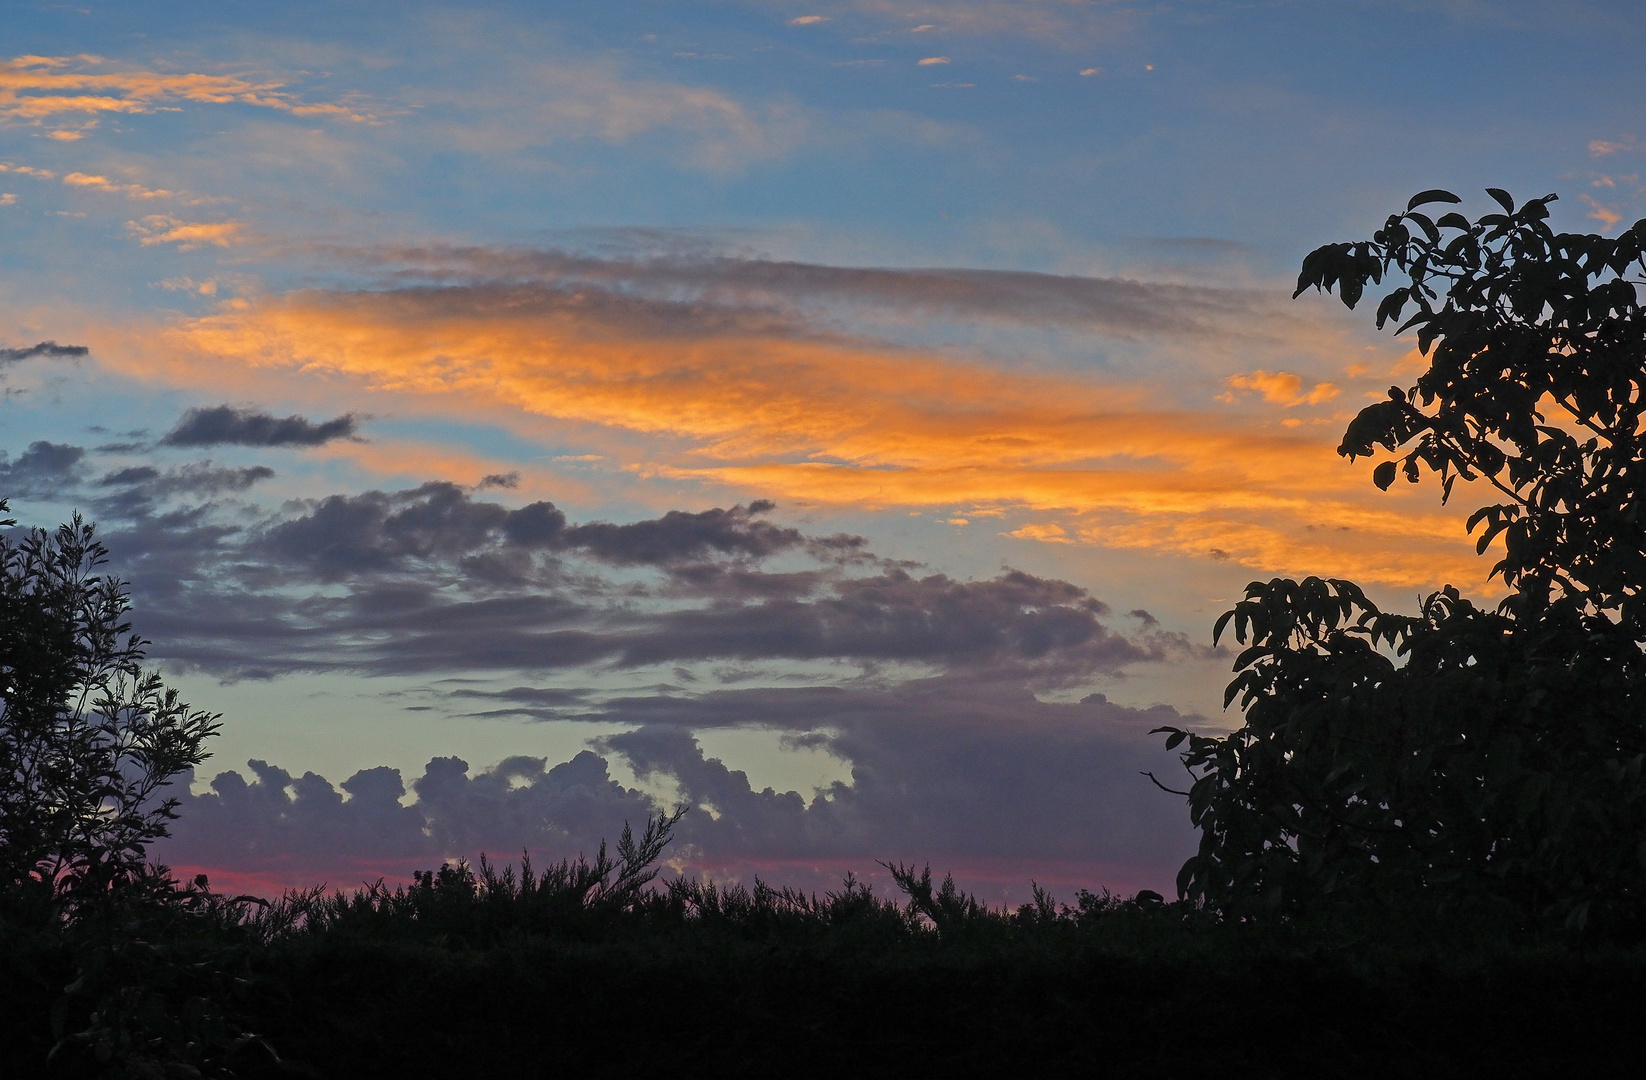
(88, 740)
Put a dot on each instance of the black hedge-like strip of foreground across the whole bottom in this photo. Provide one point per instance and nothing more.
(842, 989)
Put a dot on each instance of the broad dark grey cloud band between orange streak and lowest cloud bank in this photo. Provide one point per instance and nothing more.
(435, 580)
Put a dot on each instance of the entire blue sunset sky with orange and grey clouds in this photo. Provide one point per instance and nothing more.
(845, 419)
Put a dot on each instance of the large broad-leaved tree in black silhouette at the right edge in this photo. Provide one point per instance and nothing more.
(1462, 756)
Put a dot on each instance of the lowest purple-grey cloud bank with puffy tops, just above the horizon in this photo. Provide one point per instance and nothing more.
(995, 786)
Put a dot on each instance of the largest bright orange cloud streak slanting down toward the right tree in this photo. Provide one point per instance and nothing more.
(832, 422)
